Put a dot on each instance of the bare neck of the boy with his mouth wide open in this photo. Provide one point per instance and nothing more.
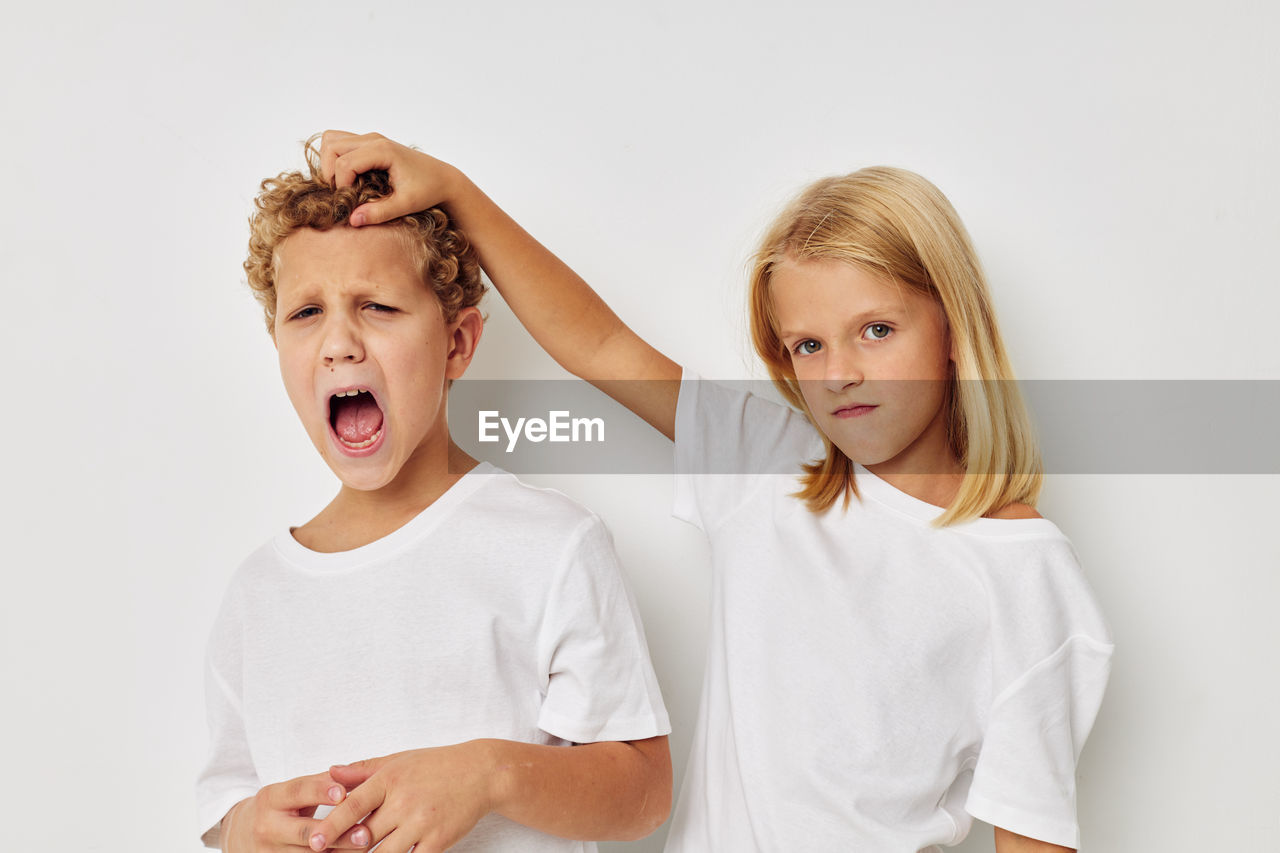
(356, 518)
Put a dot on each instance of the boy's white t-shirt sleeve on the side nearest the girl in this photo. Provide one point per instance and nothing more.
(601, 685)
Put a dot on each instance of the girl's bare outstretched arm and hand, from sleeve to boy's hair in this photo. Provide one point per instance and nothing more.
(564, 314)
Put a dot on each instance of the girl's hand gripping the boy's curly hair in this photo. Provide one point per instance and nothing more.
(419, 181)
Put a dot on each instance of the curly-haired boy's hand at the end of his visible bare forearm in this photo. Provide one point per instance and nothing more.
(427, 800)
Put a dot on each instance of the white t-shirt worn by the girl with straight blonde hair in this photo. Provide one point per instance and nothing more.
(874, 682)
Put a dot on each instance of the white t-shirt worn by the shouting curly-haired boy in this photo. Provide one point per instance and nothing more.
(499, 613)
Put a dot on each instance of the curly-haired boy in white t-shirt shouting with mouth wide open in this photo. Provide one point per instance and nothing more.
(437, 613)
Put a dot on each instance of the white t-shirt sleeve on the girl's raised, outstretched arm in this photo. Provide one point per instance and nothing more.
(728, 443)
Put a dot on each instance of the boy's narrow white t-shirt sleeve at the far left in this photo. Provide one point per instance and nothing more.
(228, 776)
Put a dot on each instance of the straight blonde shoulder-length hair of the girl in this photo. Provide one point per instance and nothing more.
(898, 226)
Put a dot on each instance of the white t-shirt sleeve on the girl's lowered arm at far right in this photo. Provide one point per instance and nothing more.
(1052, 658)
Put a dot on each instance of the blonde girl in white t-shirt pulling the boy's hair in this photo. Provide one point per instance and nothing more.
(899, 642)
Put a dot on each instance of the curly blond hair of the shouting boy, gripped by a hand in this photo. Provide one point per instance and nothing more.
(292, 202)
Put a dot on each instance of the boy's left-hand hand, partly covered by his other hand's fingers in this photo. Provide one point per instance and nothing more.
(281, 818)
